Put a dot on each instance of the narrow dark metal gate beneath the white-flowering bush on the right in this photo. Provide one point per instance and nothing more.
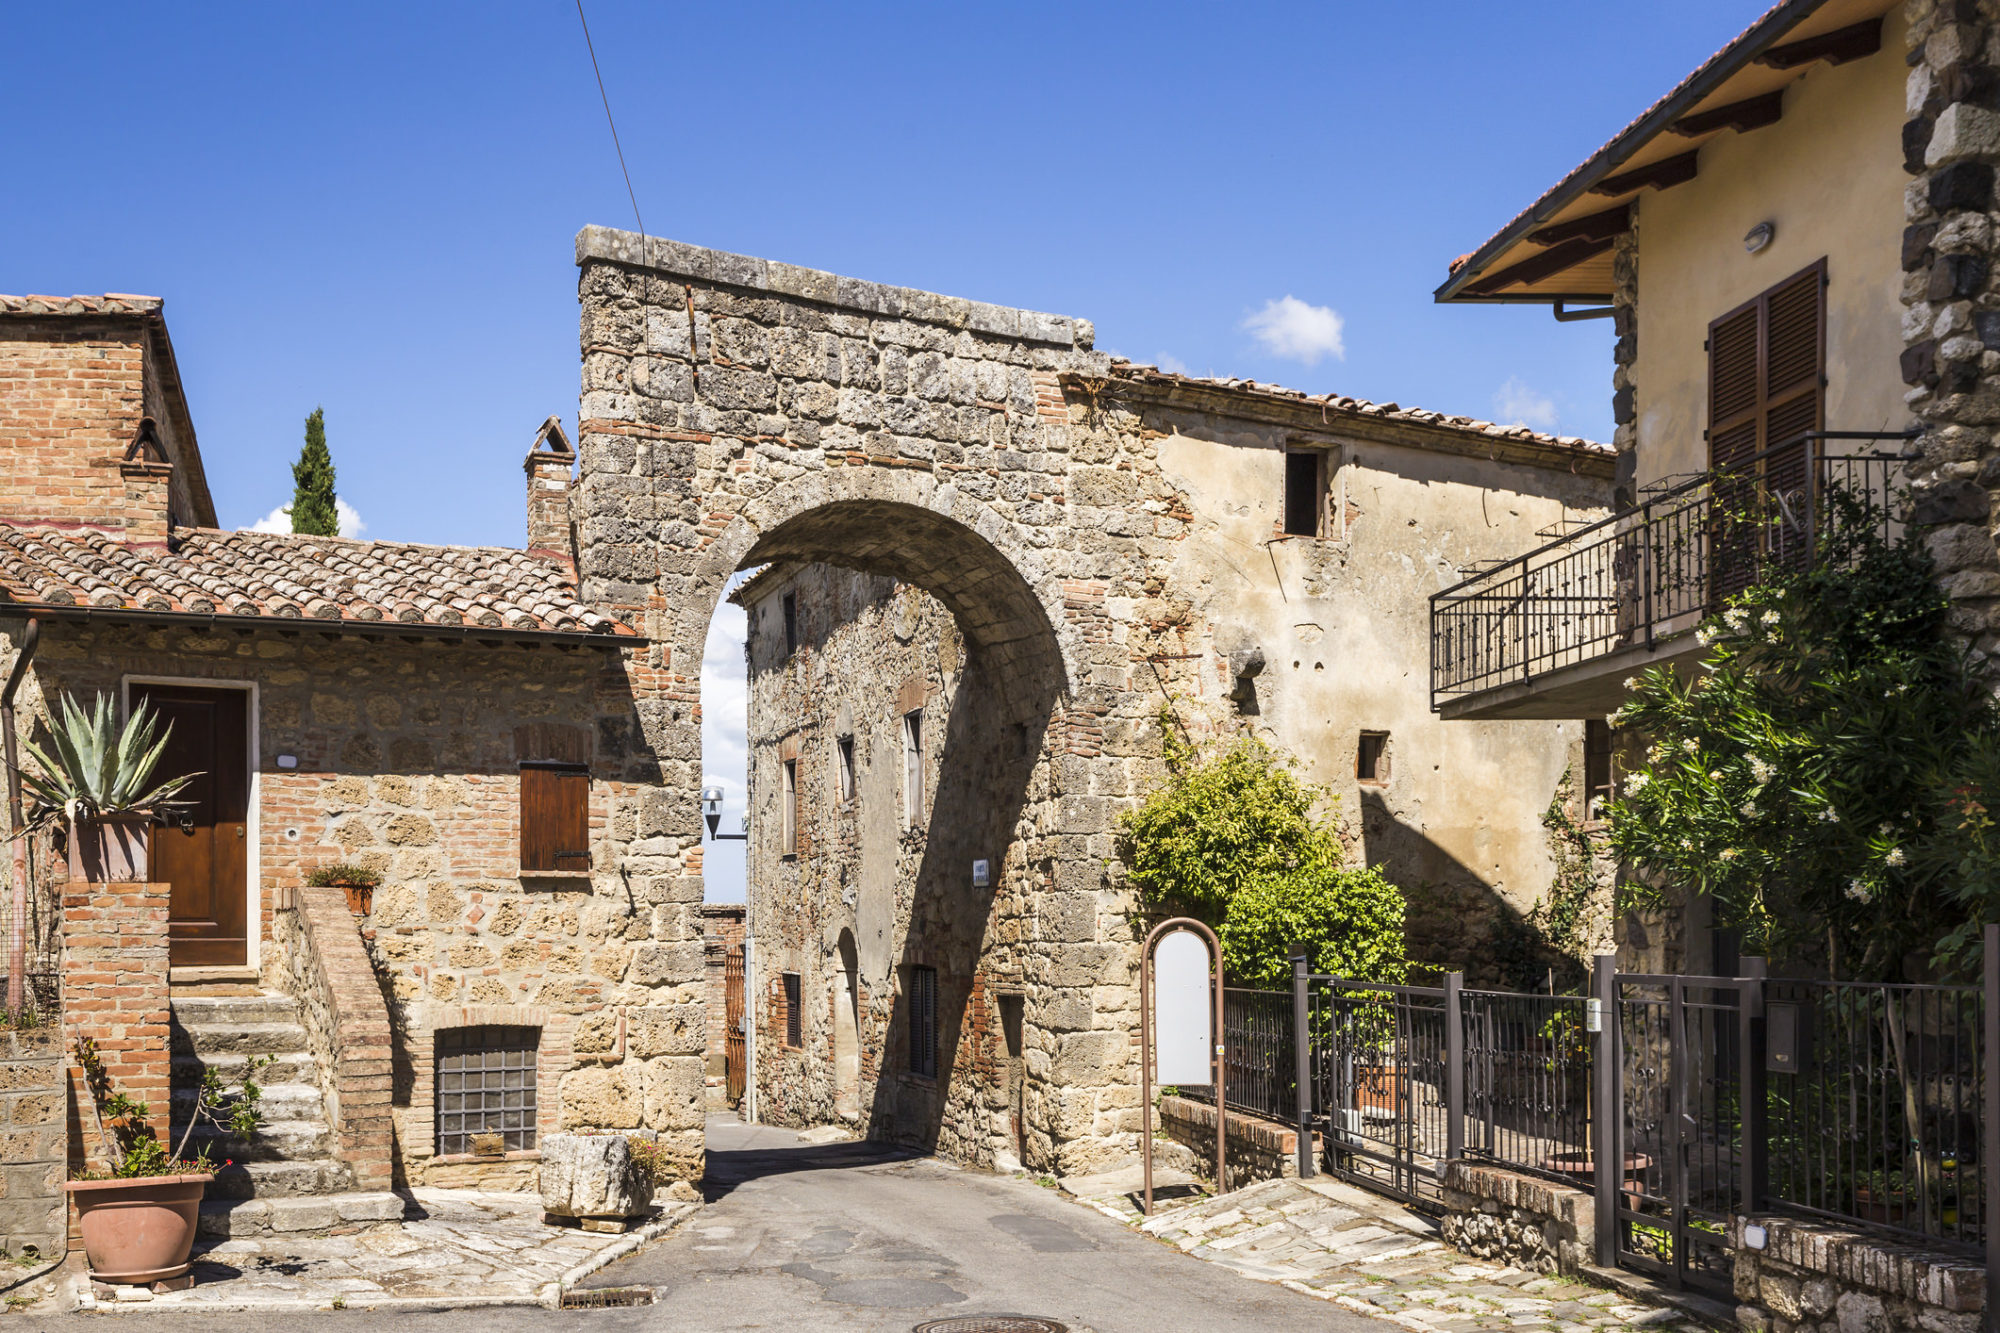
(1679, 1082)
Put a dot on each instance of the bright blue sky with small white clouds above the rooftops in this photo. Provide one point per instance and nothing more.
(371, 207)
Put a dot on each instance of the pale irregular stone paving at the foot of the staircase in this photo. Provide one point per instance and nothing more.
(465, 1248)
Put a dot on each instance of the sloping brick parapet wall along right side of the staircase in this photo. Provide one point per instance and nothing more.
(347, 1028)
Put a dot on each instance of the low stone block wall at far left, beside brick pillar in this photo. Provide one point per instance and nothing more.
(33, 1144)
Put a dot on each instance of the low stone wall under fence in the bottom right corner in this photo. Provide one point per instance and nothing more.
(1817, 1278)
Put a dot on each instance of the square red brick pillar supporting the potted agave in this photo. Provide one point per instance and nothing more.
(115, 996)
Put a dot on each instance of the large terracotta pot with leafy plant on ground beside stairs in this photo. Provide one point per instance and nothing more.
(139, 1216)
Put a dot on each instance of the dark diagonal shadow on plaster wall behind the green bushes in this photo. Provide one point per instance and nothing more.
(1457, 922)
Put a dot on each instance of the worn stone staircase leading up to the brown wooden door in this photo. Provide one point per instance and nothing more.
(291, 1176)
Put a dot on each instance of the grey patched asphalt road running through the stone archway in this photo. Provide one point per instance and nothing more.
(857, 1238)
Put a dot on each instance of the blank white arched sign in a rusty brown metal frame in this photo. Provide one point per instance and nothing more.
(1181, 1024)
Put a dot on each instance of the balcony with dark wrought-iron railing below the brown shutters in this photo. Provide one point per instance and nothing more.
(1557, 631)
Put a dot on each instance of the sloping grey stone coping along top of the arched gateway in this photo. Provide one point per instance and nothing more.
(677, 259)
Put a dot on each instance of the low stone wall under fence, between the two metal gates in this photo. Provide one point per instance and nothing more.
(1517, 1220)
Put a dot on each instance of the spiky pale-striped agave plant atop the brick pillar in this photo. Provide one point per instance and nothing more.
(97, 766)
